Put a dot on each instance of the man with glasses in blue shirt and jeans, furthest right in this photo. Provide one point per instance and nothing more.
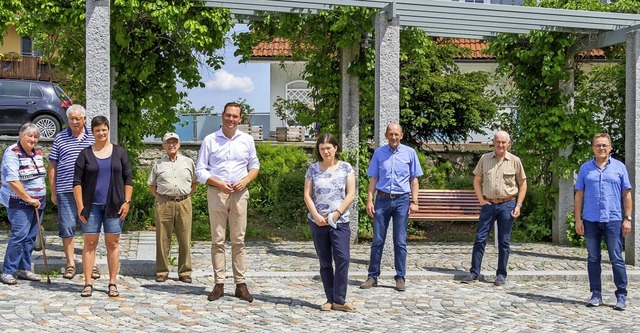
(602, 185)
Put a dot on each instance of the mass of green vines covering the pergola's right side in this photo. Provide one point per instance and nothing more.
(549, 117)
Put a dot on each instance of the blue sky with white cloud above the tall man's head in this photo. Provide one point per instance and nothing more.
(233, 81)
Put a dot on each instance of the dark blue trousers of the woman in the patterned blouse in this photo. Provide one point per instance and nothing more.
(333, 245)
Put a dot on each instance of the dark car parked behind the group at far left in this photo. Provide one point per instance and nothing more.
(40, 102)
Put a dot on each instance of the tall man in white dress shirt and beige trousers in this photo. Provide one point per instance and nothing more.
(227, 163)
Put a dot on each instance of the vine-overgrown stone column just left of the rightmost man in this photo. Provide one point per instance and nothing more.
(564, 200)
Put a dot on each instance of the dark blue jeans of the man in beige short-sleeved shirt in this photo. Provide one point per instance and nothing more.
(488, 214)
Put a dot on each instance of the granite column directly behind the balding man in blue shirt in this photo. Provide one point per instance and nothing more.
(387, 103)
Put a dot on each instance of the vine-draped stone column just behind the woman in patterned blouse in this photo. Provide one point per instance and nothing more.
(350, 123)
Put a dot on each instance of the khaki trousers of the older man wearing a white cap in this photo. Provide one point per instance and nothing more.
(173, 216)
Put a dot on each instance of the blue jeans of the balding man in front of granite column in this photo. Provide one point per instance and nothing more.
(386, 208)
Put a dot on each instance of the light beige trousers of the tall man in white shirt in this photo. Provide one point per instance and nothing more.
(231, 208)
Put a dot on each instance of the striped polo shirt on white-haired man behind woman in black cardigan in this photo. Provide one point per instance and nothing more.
(64, 152)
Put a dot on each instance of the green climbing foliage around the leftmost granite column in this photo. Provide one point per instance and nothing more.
(155, 47)
